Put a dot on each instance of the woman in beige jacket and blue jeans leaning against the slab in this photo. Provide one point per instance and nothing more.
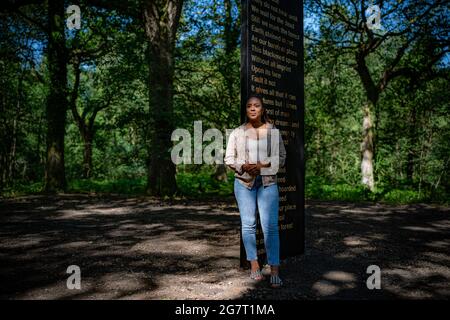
(255, 151)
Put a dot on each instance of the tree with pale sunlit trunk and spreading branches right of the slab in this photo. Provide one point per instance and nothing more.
(406, 23)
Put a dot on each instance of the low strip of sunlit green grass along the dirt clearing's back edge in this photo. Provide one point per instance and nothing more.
(202, 185)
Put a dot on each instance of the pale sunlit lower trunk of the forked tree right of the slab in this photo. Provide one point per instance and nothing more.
(367, 152)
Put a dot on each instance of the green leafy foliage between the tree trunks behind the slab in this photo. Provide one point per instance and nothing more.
(412, 156)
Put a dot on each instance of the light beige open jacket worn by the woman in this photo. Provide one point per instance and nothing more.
(236, 155)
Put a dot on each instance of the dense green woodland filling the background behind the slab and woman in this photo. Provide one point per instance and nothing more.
(92, 110)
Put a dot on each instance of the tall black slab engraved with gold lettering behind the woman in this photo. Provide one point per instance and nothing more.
(272, 66)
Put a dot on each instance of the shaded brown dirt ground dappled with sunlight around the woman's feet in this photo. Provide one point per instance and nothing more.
(140, 248)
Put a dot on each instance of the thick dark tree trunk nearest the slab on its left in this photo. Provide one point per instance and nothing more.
(161, 22)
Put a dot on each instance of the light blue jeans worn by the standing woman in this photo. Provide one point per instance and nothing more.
(267, 200)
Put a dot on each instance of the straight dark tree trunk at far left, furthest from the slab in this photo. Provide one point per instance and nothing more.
(55, 179)
